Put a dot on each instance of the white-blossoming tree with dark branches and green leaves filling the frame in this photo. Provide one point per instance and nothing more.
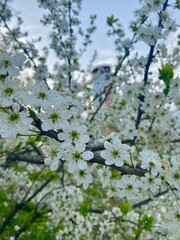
(72, 169)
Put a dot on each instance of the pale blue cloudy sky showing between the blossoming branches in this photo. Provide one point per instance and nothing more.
(121, 9)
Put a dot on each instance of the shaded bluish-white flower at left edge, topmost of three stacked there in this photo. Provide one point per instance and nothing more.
(9, 64)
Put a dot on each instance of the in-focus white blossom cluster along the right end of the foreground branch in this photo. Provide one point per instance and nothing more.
(157, 173)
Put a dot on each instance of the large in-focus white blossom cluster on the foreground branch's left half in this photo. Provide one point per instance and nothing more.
(55, 111)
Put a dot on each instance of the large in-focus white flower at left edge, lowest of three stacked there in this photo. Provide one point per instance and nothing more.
(14, 121)
